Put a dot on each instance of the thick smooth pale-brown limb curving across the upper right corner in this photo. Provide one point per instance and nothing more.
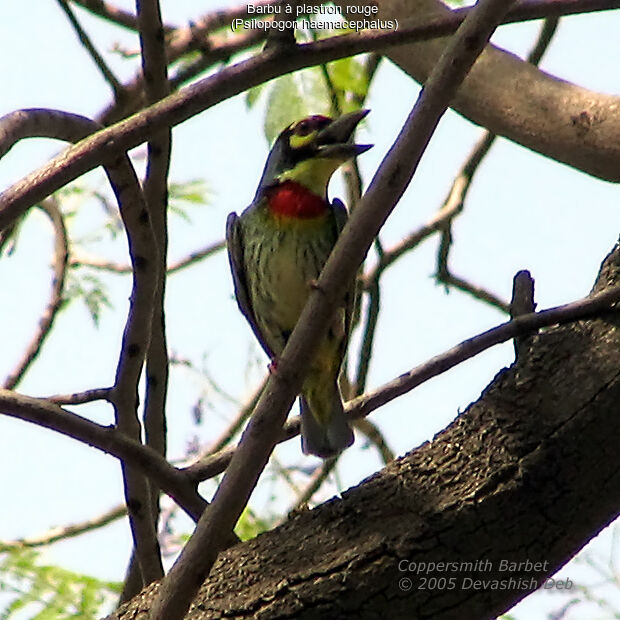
(515, 99)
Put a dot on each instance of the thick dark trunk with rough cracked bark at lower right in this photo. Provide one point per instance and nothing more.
(528, 472)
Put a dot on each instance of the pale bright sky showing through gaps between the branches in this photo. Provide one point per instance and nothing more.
(524, 211)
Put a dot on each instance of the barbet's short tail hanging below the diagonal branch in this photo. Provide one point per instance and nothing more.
(325, 430)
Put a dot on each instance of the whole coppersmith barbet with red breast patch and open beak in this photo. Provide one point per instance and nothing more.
(277, 248)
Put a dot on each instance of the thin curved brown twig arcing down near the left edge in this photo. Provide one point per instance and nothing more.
(46, 321)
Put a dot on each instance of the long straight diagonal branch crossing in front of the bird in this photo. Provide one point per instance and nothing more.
(180, 586)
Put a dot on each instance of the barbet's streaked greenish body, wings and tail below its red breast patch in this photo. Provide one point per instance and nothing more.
(276, 260)
